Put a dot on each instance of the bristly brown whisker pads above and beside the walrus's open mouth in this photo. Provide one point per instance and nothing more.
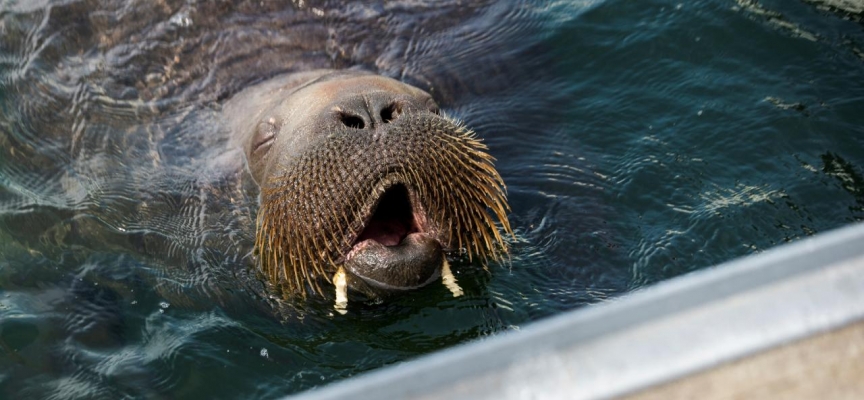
(306, 226)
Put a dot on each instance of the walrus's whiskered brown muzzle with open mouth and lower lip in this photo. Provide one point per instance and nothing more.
(433, 188)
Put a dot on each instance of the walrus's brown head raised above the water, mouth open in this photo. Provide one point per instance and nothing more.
(360, 173)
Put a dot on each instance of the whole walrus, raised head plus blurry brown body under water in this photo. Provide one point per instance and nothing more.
(258, 148)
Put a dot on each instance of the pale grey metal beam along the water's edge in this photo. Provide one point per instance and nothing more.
(651, 336)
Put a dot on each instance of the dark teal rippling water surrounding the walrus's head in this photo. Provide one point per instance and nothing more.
(639, 141)
